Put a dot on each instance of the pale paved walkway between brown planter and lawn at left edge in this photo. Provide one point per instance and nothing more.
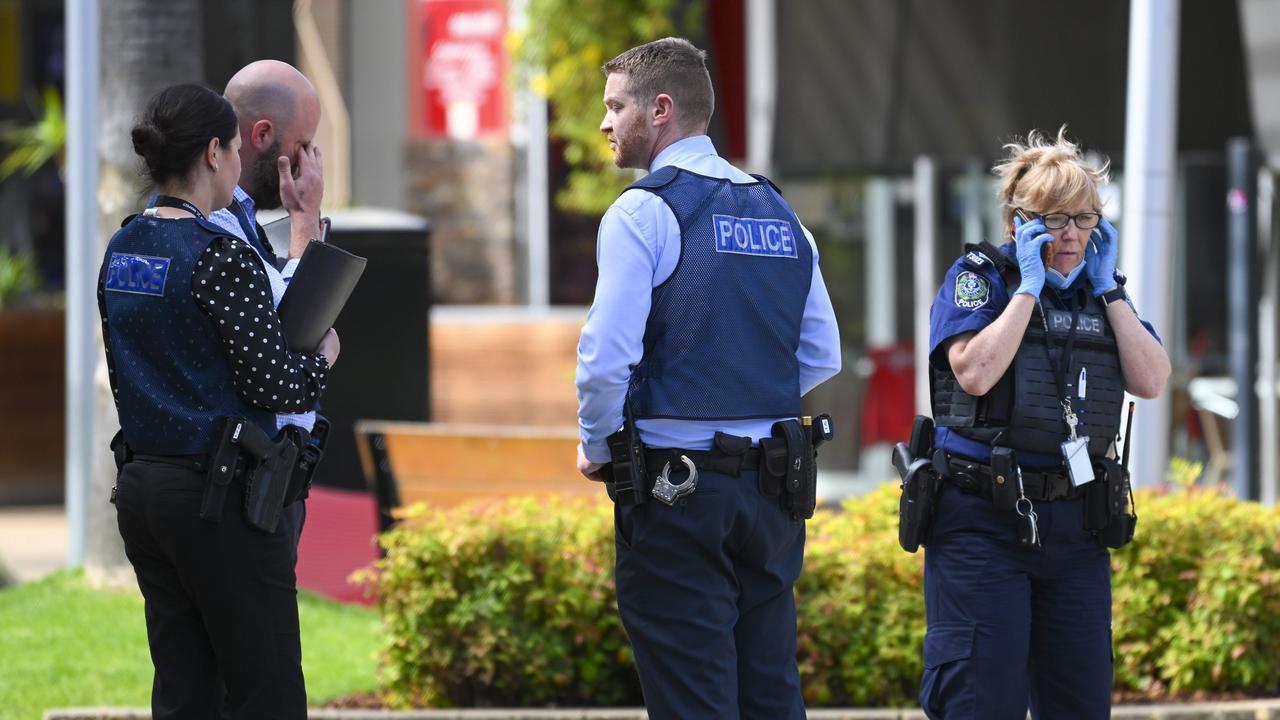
(33, 540)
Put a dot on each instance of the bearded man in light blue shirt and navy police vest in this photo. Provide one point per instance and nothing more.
(711, 320)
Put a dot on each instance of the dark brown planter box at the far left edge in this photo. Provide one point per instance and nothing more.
(33, 407)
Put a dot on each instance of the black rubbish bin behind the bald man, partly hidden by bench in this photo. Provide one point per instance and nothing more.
(385, 364)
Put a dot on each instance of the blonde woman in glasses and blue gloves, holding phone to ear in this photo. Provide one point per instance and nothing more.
(1014, 621)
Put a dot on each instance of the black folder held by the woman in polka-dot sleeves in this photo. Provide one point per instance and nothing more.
(321, 288)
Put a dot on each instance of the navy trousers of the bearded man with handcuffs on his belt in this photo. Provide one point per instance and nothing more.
(706, 596)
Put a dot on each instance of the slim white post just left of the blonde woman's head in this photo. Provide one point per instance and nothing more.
(926, 285)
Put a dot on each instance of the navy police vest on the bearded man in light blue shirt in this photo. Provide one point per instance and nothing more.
(724, 330)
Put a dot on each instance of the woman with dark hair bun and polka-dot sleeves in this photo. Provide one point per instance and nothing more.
(191, 339)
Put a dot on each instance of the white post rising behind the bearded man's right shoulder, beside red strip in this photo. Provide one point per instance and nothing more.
(762, 84)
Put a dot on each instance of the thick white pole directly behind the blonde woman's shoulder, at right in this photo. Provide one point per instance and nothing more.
(1150, 175)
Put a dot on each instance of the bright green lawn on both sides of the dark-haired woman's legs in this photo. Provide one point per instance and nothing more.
(63, 645)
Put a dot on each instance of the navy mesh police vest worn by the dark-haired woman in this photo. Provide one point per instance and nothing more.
(171, 373)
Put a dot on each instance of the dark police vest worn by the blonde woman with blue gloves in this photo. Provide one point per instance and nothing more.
(1022, 411)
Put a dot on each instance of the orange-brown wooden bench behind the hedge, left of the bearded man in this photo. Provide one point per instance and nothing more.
(446, 464)
